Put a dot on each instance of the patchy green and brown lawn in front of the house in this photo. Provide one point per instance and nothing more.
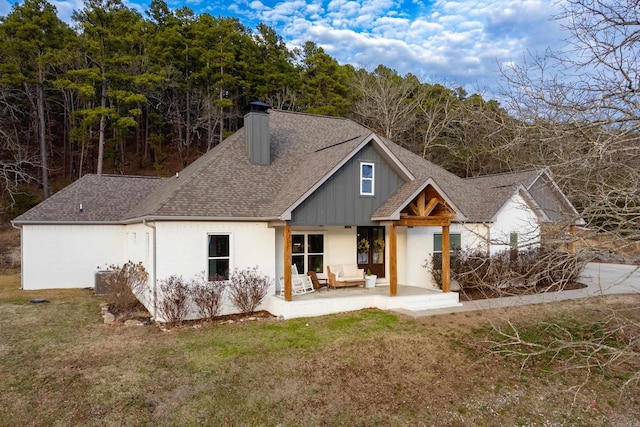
(60, 365)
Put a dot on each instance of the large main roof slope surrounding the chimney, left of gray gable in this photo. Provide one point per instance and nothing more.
(224, 184)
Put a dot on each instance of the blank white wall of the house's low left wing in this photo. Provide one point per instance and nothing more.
(68, 256)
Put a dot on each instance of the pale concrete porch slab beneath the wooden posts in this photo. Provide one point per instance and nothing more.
(327, 301)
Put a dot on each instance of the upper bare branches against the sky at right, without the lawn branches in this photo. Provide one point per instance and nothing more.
(578, 113)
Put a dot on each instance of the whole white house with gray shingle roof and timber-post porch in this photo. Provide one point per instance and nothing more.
(288, 188)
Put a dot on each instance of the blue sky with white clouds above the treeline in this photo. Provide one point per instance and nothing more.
(455, 42)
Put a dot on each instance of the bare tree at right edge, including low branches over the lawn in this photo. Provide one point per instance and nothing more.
(578, 114)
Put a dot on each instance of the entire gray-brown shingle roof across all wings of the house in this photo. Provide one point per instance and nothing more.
(223, 184)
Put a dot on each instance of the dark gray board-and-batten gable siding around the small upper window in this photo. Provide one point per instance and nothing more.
(338, 201)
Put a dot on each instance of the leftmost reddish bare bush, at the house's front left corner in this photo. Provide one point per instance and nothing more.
(124, 284)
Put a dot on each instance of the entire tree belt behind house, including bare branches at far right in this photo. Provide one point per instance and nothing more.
(119, 92)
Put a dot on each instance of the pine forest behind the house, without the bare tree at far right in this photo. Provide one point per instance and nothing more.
(118, 92)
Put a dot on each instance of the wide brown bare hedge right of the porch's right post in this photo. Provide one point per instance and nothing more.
(512, 273)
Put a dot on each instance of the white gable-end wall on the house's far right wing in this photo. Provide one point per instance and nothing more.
(514, 216)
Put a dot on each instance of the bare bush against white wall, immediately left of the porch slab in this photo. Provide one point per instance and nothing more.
(247, 289)
